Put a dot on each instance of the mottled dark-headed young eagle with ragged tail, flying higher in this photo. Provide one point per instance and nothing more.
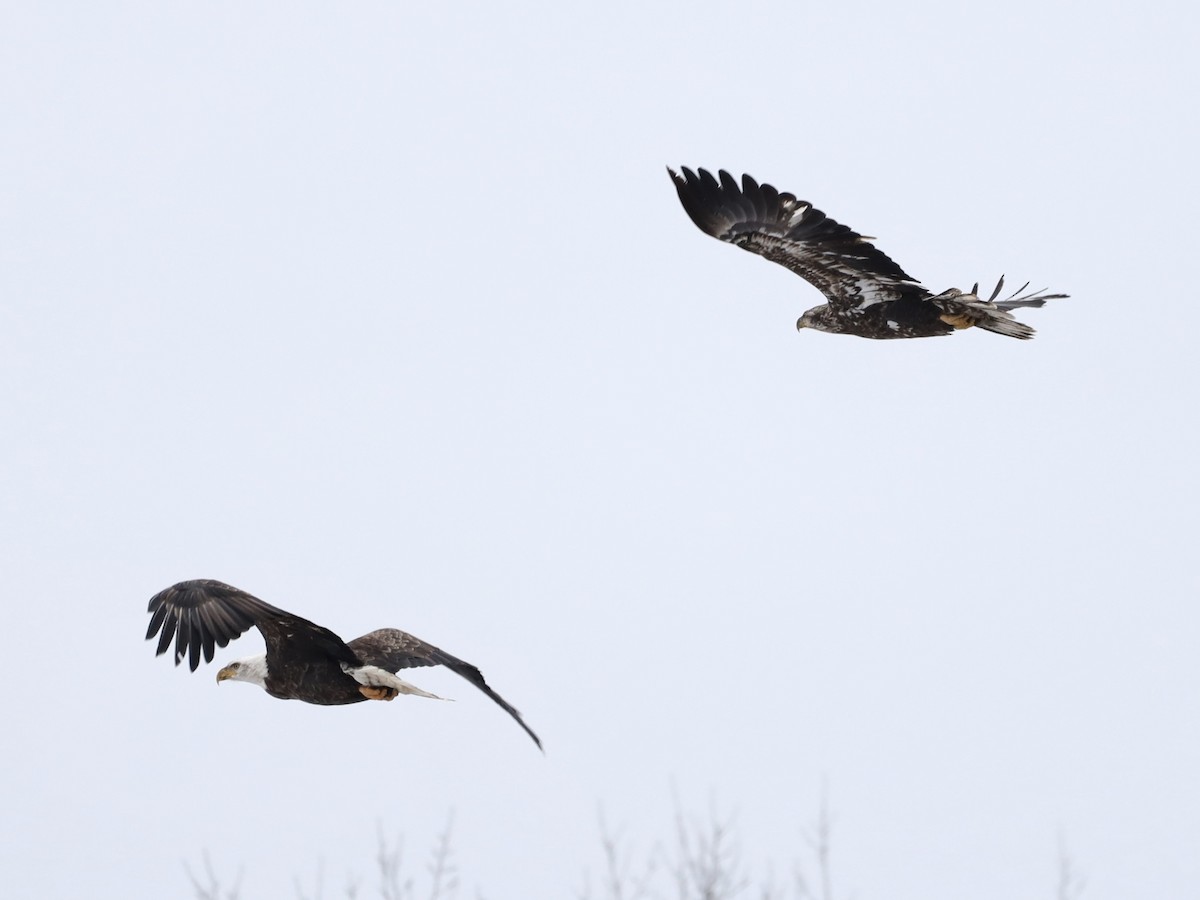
(869, 296)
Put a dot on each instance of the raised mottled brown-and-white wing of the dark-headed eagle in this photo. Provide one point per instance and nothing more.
(842, 265)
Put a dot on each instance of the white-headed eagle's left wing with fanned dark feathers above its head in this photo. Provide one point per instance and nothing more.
(203, 615)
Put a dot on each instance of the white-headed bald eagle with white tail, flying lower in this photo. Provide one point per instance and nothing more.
(303, 661)
